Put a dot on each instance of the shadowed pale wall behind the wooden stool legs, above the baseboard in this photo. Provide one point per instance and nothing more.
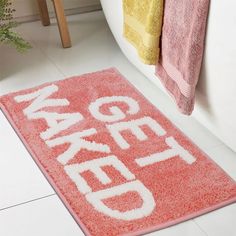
(28, 9)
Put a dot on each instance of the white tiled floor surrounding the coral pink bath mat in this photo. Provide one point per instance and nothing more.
(28, 204)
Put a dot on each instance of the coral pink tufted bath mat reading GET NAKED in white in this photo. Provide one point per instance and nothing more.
(118, 164)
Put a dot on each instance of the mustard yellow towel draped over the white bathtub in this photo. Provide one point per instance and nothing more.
(142, 27)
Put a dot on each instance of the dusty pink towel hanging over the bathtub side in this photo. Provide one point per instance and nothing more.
(182, 47)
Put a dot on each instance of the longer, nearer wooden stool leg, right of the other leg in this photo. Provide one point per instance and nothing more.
(62, 24)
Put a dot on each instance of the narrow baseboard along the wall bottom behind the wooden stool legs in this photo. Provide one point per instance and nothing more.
(68, 12)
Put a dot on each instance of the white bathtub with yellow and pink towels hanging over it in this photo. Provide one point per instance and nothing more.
(215, 104)
